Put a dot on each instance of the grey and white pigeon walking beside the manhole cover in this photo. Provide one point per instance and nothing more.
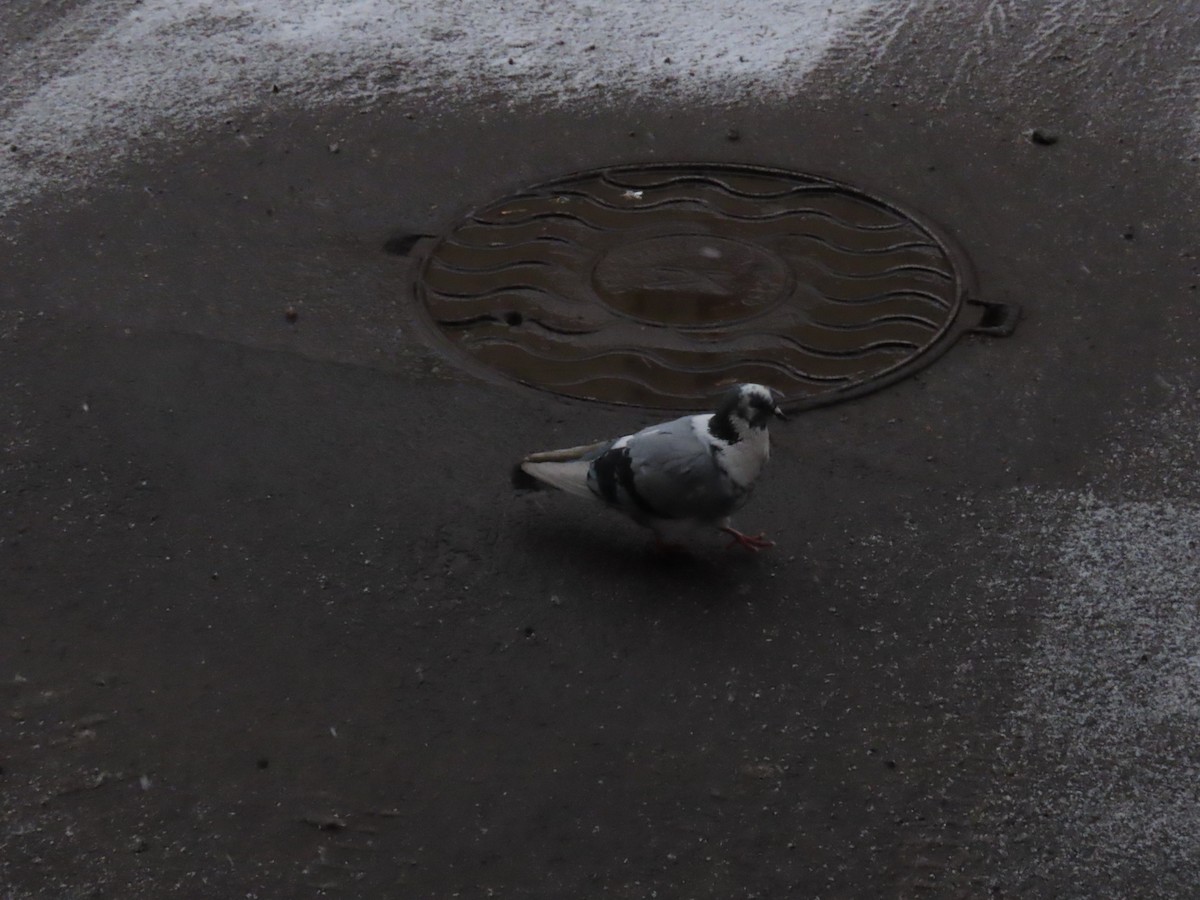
(688, 473)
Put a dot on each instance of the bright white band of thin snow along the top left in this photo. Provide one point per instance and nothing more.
(100, 86)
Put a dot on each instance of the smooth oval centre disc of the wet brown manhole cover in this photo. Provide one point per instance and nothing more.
(689, 280)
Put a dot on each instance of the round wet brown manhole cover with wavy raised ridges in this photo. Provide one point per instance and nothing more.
(657, 286)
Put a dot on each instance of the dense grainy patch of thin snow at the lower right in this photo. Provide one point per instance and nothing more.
(1113, 694)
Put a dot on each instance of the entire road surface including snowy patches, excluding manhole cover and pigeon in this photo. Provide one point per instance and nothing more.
(273, 622)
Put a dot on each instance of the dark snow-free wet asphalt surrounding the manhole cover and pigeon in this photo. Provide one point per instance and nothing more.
(275, 623)
